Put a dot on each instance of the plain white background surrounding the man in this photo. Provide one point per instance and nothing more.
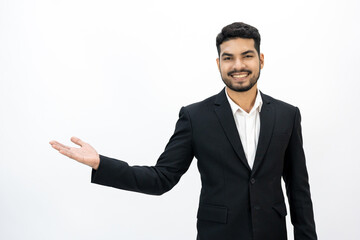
(116, 73)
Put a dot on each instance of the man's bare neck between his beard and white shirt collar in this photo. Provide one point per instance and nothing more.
(245, 100)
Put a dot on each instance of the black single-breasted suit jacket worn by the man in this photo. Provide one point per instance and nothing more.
(236, 202)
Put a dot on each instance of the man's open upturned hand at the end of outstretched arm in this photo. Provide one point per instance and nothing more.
(86, 154)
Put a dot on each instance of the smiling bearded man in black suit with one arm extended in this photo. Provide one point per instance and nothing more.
(244, 142)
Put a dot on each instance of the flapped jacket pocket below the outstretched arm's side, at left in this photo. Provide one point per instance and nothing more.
(212, 213)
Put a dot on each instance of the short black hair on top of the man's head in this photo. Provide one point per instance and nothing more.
(238, 30)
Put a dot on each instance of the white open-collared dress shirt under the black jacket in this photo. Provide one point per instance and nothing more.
(248, 126)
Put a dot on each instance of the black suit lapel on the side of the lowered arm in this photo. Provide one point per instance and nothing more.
(267, 122)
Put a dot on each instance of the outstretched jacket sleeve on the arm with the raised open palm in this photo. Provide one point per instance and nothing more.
(155, 180)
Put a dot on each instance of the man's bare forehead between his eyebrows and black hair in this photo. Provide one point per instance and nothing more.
(237, 45)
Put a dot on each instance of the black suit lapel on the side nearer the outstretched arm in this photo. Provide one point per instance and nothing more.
(226, 118)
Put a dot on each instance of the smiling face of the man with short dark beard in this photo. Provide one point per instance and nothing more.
(239, 64)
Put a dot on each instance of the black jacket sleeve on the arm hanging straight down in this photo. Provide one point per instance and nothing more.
(297, 185)
